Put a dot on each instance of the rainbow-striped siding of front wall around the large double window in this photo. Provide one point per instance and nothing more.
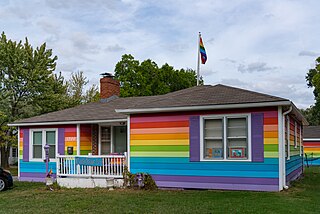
(160, 146)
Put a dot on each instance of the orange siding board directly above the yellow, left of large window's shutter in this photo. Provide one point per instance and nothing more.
(159, 136)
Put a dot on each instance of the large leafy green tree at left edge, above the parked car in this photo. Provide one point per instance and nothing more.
(28, 86)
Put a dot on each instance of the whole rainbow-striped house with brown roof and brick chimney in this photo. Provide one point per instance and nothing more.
(204, 137)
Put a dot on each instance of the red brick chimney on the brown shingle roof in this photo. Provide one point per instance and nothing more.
(108, 87)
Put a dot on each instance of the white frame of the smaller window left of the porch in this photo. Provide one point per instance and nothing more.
(43, 144)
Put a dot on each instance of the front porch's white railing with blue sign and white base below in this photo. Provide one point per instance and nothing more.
(89, 171)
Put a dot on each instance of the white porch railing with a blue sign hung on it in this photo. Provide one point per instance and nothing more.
(98, 166)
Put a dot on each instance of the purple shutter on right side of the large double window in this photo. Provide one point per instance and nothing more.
(257, 137)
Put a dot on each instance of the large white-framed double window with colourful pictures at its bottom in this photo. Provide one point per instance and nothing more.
(225, 137)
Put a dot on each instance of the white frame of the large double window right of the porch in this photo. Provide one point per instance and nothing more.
(224, 118)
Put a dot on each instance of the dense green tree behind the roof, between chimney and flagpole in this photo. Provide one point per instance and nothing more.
(146, 78)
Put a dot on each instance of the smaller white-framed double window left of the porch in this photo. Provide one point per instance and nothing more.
(39, 138)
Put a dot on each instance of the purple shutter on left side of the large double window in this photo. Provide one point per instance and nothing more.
(194, 132)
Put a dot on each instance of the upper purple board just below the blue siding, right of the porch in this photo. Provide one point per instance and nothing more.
(215, 179)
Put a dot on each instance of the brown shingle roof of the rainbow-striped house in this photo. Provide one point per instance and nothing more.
(195, 96)
